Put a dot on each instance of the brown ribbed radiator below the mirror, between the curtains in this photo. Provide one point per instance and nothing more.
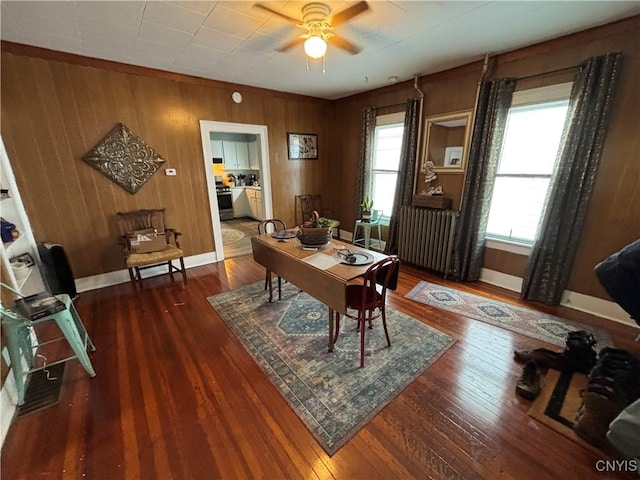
(425, 237)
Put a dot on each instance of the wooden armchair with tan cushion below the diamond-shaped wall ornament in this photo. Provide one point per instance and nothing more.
(148, 242)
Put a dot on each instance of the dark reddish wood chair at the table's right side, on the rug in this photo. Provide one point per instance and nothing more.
(369, 298)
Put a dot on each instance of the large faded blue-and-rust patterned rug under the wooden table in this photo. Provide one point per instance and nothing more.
(332, 395)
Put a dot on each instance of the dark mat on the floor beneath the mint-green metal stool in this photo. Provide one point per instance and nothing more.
(42, 390)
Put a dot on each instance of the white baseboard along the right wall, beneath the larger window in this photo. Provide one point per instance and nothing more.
(578, 301)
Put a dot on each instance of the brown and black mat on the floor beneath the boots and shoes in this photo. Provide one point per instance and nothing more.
(558, 402)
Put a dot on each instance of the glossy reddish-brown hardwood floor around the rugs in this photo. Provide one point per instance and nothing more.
(177, 396)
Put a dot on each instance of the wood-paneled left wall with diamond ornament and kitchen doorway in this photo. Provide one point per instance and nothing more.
(55, 107)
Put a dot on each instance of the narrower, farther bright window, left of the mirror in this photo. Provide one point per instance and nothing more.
(386, 161)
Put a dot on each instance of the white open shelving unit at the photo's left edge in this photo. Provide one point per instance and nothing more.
(27, 281)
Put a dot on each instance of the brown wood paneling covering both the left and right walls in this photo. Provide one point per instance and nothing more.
(55, 107)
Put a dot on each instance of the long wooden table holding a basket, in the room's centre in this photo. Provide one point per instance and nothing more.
(287, 260)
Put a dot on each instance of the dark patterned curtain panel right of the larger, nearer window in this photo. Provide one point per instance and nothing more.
(561, 224)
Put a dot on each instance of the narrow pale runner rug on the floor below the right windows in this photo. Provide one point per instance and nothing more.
(531, 323)
